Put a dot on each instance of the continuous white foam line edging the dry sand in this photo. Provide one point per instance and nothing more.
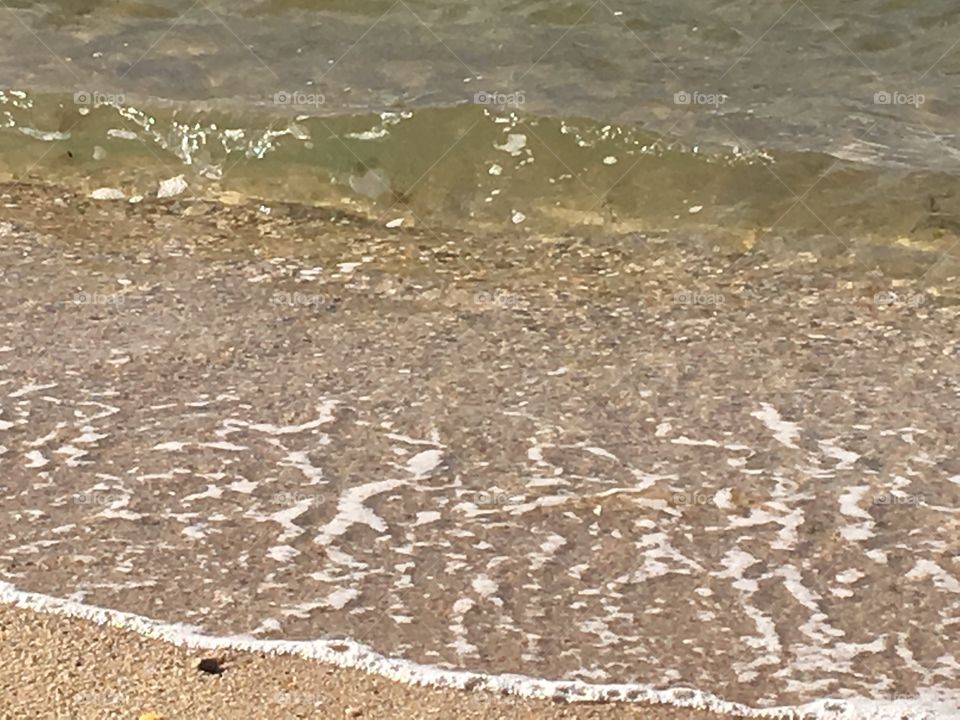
(930, 704)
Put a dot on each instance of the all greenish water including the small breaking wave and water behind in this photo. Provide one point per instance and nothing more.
(774, 117)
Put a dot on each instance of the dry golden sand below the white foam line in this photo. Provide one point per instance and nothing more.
(53, 667)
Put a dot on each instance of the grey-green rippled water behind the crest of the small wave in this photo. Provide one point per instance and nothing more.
(788, 75)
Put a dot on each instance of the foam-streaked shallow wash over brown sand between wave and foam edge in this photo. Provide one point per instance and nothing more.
(706, 462)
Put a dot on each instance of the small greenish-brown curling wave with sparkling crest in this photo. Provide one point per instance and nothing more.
(472, 166)
